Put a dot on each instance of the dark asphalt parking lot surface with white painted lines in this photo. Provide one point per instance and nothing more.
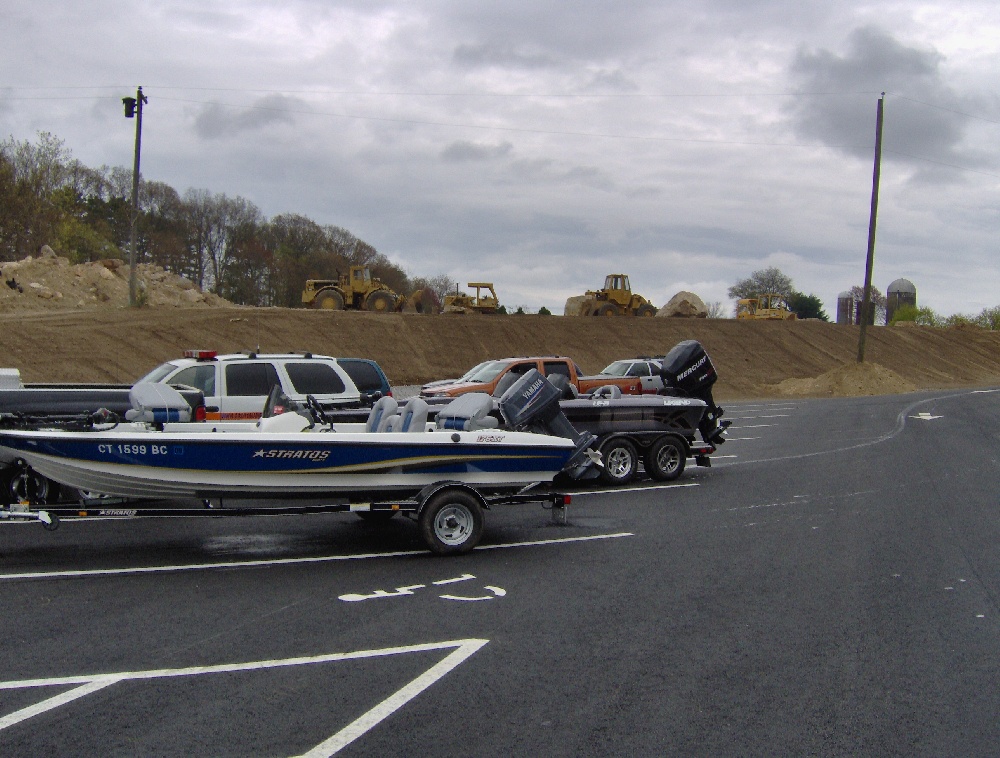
(829, 586)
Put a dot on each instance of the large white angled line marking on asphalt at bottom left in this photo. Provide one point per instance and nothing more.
(87, 684)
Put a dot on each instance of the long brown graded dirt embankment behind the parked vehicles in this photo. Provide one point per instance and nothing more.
(754, 359)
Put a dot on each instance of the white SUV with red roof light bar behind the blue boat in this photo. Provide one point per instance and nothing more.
(237, 385)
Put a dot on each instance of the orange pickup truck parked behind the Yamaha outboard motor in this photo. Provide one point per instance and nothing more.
(489, 374)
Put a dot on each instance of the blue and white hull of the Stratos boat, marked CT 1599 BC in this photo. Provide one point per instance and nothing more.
(166, 465)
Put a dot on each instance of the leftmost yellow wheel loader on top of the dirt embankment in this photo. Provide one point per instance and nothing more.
(358, 290)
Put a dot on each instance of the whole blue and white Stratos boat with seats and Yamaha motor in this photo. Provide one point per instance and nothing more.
(299, 451)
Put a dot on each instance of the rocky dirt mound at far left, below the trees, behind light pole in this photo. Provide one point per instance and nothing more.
(51, 282)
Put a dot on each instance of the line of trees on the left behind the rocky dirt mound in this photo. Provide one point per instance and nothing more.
(223, 244)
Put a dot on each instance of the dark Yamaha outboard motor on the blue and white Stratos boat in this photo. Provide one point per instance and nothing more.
(531, 404)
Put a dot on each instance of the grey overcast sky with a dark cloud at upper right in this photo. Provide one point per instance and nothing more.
(542, 145)
